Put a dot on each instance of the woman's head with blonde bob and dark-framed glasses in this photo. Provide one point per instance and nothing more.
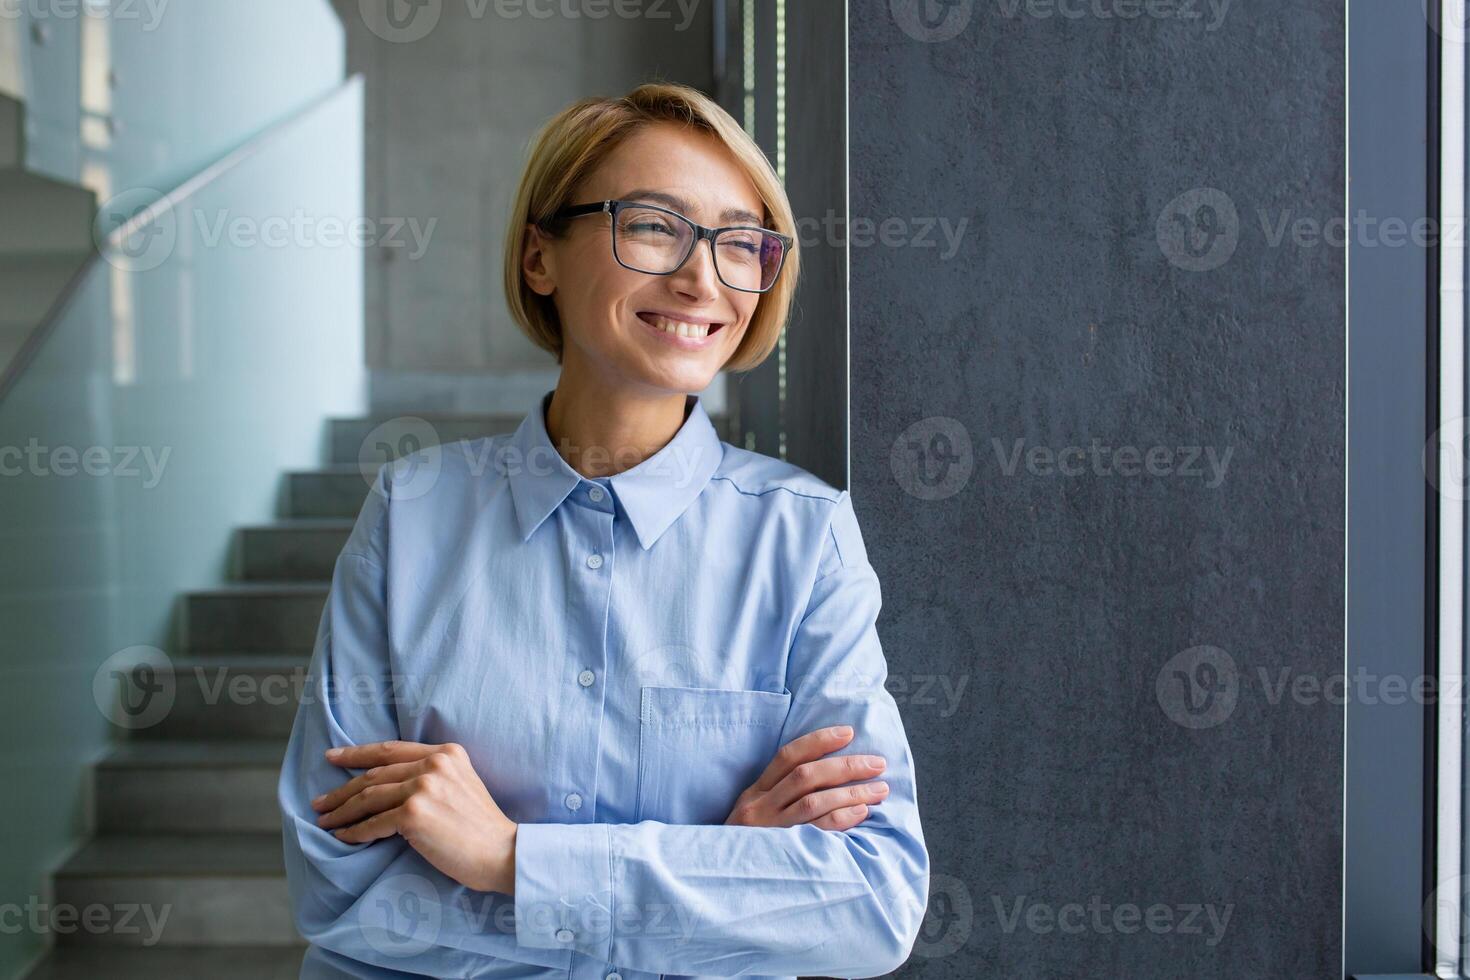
(570, 286)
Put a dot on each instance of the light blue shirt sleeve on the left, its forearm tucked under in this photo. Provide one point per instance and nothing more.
(379, 906)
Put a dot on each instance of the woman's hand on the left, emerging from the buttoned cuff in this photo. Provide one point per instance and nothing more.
(433, 799)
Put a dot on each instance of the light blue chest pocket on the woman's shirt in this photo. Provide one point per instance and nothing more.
(699, 749)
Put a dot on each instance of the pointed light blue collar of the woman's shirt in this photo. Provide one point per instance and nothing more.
(653, 494)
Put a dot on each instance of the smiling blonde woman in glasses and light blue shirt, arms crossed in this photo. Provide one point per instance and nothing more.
(645, 663)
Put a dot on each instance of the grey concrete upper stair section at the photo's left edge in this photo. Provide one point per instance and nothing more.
(46, 234)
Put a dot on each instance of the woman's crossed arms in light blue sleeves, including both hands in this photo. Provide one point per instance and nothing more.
(806, 876)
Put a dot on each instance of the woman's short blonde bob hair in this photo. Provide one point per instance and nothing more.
(578, 139)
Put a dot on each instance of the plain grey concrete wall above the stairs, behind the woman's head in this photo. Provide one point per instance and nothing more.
(449, 118)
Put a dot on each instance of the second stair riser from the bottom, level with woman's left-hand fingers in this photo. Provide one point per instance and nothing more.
(190, 787)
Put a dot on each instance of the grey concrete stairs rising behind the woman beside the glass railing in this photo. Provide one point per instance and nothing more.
(186, 810)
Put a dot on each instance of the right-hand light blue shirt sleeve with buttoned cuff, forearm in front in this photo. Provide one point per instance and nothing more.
(774, 901)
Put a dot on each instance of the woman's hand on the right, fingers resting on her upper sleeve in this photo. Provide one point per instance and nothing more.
(795, 790)
